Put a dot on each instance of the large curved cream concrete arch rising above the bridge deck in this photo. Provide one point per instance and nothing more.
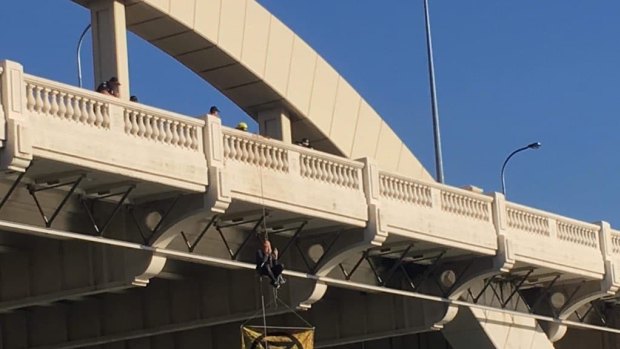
(260, 64)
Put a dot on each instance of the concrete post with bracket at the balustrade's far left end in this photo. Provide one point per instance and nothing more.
(17, 153)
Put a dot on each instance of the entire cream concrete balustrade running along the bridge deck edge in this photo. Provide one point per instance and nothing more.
(121, 139)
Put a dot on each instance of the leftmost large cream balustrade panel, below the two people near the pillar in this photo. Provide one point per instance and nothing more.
(93, 130)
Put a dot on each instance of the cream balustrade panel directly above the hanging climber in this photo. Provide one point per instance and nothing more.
(306, 181)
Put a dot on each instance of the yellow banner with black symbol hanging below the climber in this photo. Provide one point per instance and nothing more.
(252, 337)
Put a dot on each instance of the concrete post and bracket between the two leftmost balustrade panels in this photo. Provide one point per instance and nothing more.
(218, 195)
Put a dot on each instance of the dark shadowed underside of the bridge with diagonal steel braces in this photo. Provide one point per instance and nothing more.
(82, 291)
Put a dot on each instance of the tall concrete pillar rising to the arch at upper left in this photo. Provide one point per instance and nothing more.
(109, 32)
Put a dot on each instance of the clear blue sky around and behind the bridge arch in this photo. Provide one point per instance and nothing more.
(508, 73)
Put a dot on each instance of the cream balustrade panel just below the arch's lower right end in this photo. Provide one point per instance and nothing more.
(437, 213)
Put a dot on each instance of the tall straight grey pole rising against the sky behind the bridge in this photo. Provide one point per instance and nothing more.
(435, 108)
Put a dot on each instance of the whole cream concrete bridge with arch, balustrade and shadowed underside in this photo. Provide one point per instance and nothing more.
(127, 226)
